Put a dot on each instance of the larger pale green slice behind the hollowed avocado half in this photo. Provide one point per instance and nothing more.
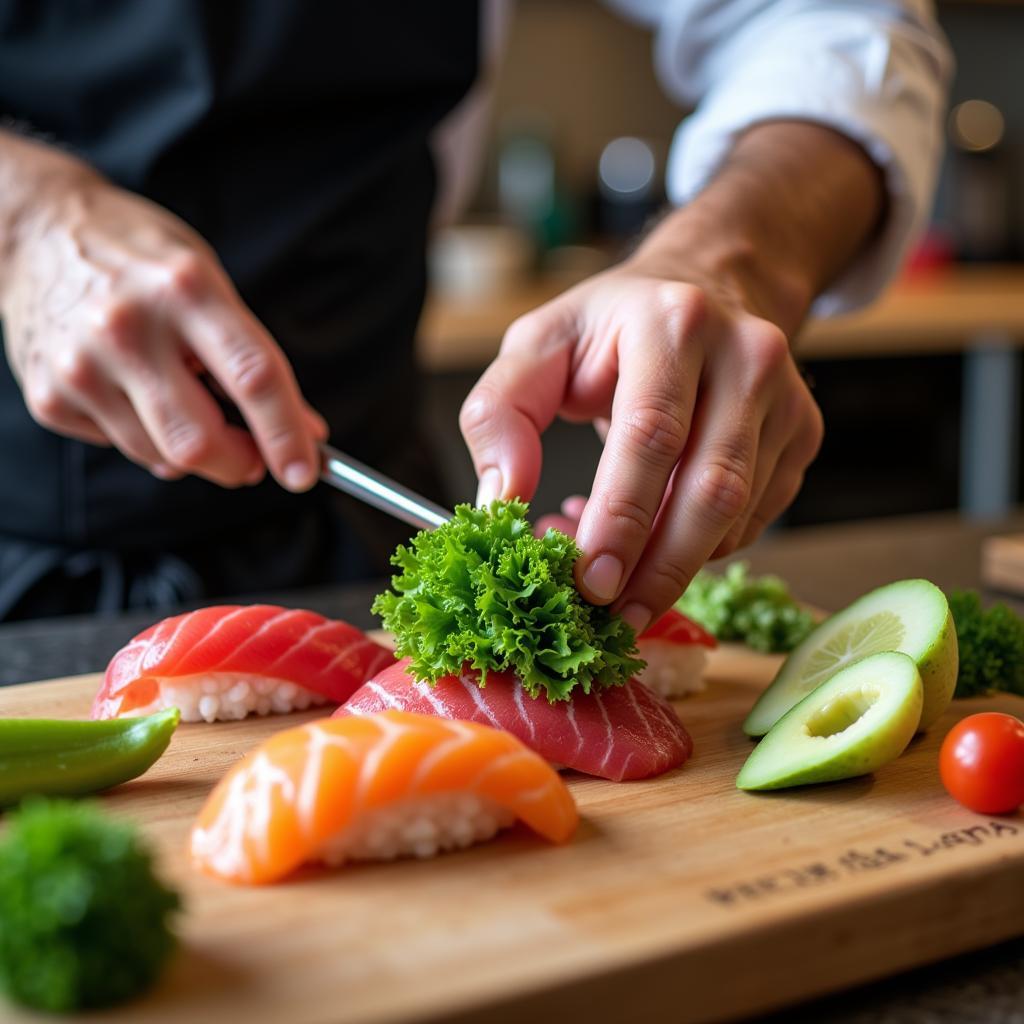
(912, 617)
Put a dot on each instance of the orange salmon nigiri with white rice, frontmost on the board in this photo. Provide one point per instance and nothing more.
(373, 788)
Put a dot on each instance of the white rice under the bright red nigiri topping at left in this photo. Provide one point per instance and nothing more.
(230, 698)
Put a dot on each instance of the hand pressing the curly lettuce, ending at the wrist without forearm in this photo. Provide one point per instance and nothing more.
(711, 425)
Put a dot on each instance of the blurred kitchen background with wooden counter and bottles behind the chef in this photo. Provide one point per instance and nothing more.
(921, 395)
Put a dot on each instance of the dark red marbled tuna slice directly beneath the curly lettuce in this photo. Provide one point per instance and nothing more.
(621, 733)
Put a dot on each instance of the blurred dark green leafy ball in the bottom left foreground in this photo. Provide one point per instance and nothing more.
(83, 920)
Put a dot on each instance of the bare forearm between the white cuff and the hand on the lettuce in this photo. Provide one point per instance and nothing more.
(788, 212)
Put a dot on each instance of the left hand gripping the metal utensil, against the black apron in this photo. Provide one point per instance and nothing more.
(112, 307)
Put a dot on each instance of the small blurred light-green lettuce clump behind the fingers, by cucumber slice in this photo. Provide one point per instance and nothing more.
(757, 611)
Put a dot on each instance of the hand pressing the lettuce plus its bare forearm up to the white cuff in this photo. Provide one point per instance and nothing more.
(684, 351)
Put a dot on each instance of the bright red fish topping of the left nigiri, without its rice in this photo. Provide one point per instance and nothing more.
(328, 657)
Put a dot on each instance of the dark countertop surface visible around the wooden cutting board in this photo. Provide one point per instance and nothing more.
(828, 567)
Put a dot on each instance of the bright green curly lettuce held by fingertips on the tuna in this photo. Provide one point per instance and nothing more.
(482, 590)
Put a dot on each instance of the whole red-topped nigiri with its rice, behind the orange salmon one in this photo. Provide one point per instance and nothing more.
(229, 661)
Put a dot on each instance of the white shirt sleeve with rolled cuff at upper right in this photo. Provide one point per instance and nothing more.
(877, 71)
